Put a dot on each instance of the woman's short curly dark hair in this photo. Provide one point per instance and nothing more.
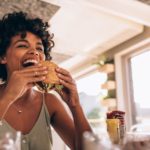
(19, 23)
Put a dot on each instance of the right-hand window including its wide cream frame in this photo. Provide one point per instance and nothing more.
(132, 78)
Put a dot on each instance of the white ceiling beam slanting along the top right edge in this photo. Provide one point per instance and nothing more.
(128, 9)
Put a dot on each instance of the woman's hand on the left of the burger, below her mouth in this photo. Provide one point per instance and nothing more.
(21, 80)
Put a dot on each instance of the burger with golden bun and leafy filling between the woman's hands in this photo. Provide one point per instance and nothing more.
(52, 80)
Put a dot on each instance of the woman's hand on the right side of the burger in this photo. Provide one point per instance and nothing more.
(69, 93)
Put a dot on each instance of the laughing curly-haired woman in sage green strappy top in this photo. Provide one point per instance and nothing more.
(21, 107)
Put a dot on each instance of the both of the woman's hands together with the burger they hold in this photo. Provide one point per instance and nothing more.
(46, 76)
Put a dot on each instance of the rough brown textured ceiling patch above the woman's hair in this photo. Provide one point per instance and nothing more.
(34, 7)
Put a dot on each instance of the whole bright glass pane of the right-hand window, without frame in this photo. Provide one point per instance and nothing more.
(140, 73)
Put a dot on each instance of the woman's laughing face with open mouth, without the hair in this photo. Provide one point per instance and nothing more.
(22, 51)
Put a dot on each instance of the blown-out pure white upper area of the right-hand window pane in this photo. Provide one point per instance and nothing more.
(141, 79)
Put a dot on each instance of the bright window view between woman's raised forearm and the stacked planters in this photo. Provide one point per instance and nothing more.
(90, 94)
